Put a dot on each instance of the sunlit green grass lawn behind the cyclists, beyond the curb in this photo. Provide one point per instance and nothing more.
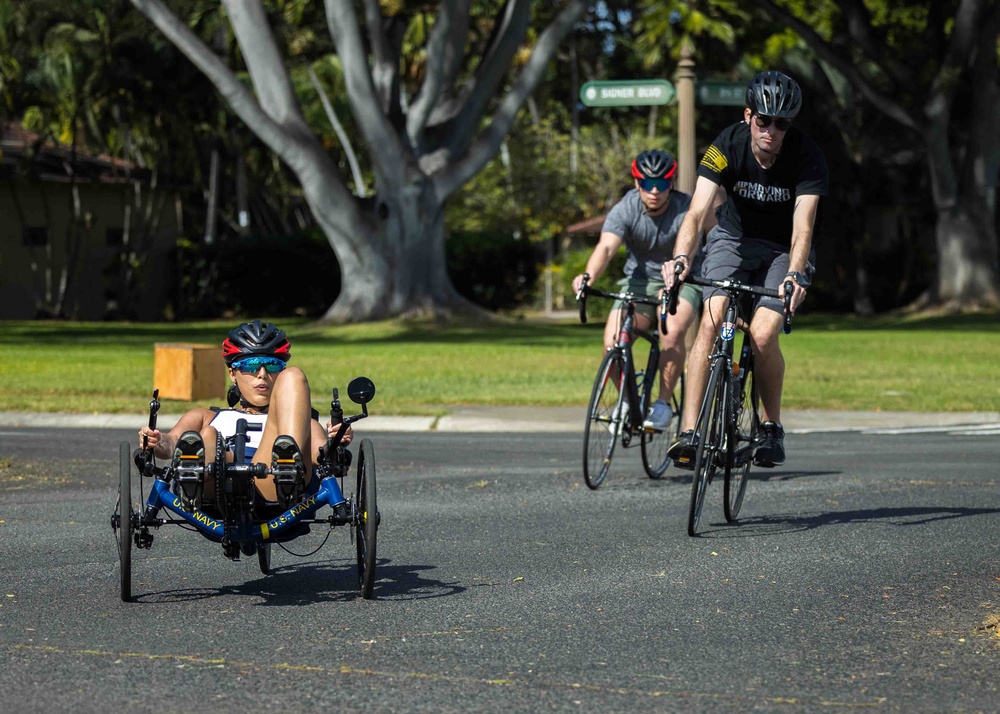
(833, 362)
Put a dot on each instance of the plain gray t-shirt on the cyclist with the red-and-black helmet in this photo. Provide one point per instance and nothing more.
(648, 240)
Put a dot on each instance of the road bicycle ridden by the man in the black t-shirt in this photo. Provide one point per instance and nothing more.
(727, 430)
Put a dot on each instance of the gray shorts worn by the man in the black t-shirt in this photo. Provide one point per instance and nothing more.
(751, 261)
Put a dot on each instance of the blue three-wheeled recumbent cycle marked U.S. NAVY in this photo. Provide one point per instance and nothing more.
(236, 515)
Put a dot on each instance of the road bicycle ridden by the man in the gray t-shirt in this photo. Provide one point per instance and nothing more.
(621, 397)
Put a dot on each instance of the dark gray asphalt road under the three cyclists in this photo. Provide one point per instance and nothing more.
(864, 574)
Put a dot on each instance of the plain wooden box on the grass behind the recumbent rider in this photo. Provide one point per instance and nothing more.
(188, 371)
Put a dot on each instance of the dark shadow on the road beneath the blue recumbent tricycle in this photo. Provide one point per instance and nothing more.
(336, 581)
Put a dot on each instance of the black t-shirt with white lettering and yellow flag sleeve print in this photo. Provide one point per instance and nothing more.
(760, 202)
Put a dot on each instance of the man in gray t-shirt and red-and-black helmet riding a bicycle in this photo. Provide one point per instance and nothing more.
(646, 221)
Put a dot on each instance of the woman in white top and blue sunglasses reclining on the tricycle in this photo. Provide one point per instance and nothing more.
(265, 391)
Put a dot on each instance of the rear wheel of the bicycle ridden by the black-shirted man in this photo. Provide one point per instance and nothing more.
(743, 438)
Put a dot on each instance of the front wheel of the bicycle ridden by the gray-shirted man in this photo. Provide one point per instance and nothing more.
(604, 423)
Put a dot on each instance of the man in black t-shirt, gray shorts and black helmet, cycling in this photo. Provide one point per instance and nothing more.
(772, 176)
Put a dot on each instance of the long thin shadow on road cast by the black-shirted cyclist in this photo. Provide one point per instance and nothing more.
(790, 523)
